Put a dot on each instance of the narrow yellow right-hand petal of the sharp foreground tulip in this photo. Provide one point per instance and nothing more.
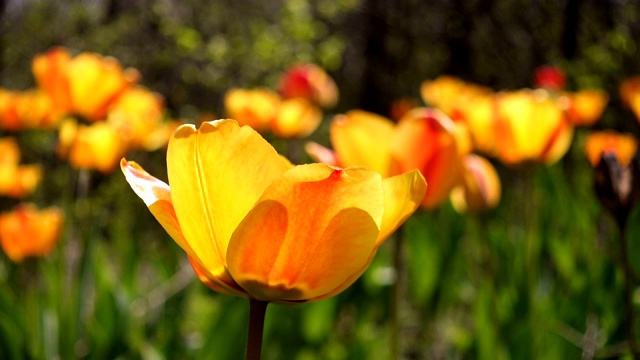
(402, 196)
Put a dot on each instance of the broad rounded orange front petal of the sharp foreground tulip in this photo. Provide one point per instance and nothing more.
(310, 232)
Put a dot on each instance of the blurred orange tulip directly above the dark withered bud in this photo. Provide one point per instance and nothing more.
(623, 146)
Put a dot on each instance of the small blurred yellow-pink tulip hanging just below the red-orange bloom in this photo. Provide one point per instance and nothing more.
(480, 189)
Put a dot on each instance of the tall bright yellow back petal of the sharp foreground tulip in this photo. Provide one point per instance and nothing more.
(216, 174)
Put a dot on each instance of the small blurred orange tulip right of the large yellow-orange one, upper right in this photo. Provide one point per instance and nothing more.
(585, 107)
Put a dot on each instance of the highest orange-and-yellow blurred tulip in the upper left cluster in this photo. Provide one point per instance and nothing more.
(86, 84)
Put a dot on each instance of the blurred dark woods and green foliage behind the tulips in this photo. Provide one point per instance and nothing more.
(538, 276)
